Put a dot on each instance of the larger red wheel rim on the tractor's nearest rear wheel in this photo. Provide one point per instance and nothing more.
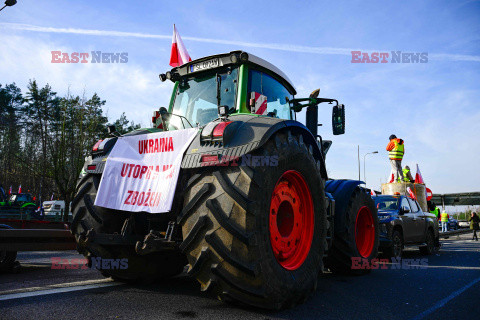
(291, 220)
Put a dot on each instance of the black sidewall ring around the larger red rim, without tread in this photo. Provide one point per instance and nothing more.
(294, 158)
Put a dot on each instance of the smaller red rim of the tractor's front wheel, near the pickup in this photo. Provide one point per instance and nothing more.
(364, 232)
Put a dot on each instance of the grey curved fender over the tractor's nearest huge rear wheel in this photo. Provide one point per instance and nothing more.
(244, 135)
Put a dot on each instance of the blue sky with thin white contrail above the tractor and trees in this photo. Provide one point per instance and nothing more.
(433, 106)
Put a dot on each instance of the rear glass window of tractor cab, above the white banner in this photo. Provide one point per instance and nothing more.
(196, 98)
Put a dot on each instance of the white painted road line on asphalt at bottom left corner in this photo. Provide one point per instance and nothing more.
(58, 288)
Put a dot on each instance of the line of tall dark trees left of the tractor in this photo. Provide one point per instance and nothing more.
(44, 139)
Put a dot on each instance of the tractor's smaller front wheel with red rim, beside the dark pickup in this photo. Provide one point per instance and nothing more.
(356, 236)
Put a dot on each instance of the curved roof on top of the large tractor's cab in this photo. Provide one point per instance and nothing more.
(234, 58)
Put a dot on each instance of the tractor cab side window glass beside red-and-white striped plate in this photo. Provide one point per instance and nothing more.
(276, 93)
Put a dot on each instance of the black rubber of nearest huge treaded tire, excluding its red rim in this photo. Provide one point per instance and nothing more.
(225, 229)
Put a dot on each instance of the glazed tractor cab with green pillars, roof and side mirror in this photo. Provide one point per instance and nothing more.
(236, 83)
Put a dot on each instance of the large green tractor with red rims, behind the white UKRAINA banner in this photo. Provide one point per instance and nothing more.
(254, 215)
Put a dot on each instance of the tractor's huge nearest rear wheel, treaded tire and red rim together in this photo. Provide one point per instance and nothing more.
(242, 226)
